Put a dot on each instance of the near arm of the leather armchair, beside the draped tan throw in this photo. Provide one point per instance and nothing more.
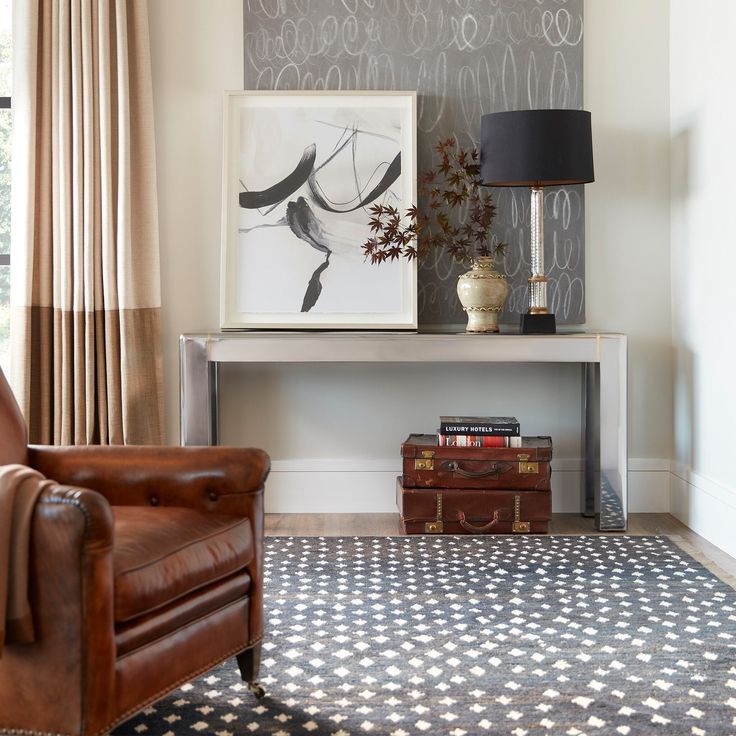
(72, 660)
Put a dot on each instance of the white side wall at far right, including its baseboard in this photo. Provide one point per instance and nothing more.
(703, 109)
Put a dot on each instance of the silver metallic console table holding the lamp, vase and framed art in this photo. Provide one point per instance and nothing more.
(601, 355)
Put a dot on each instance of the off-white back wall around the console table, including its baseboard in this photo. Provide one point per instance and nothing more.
(351, 419)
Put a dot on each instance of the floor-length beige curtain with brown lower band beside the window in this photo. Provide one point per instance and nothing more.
(85, 293)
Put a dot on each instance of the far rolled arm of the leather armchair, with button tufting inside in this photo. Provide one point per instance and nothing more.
(211, 478)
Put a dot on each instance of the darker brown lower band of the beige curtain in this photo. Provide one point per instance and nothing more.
(87, 401)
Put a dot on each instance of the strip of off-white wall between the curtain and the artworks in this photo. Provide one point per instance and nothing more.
(196, 54)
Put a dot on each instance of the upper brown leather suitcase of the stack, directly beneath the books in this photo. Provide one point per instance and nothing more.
(427, 465)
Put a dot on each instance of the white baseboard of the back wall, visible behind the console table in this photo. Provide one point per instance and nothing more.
(354, 486)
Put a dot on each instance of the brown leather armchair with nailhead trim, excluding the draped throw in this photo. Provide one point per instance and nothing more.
(149, 579)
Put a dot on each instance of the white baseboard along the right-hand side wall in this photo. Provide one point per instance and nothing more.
(704, 505)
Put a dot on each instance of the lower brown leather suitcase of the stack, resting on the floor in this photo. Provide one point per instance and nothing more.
(461, 511)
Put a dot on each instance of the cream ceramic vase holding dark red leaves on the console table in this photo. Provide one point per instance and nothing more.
(482, 292)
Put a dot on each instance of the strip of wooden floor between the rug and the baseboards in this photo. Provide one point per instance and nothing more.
(382, 525)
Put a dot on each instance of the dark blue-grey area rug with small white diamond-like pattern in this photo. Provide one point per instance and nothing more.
(477, 635)
